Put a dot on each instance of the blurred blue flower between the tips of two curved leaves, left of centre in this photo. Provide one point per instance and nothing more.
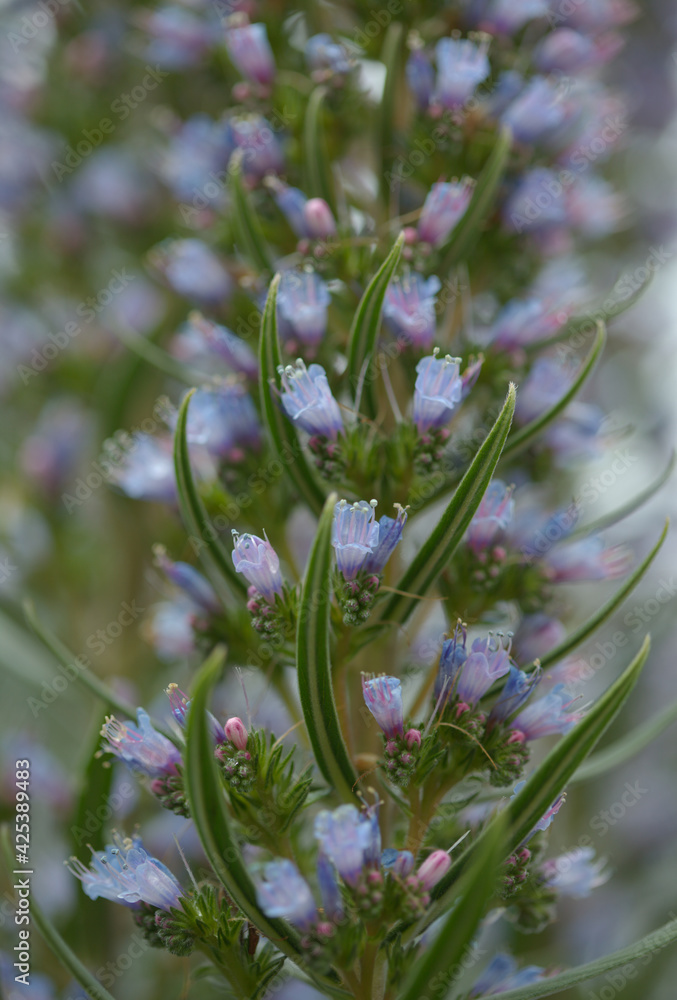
(224, 421)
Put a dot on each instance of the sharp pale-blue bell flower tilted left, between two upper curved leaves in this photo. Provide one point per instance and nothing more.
(308, 401)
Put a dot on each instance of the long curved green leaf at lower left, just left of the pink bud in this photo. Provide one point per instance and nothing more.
(209, 812)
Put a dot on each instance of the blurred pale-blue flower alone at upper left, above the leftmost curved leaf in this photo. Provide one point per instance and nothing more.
(193, 270)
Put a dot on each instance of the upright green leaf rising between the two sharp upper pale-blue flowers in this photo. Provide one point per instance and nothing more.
(366, 325)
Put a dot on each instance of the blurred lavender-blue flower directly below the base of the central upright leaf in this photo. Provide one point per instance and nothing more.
(349, 839)
